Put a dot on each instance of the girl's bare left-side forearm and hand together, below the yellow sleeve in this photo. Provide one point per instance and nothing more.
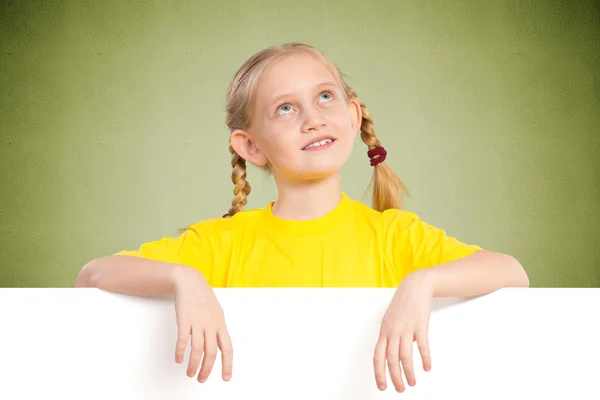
(198, 313)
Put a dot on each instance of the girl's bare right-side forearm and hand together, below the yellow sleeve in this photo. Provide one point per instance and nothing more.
(407, 317)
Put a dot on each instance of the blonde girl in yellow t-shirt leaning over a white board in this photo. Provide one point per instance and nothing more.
(290, 111)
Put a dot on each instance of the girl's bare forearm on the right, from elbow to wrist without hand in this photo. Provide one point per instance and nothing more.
(480, 273)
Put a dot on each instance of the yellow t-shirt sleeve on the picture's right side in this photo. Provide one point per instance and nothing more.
(415, 244)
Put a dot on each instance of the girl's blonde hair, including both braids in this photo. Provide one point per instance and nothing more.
(388, 189)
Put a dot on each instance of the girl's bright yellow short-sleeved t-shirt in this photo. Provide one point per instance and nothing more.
(351, 246)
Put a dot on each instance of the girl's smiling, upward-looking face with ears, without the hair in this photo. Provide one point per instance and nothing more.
(302, 126)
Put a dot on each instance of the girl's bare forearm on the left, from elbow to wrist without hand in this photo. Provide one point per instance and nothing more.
(131, 275)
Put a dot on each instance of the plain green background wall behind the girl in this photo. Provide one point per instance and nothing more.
(112, 121)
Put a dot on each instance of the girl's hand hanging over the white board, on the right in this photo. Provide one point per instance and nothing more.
(406, 320)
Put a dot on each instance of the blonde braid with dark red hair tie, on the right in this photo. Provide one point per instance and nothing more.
(388, 189)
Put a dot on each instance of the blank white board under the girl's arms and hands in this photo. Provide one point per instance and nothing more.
(298, 344)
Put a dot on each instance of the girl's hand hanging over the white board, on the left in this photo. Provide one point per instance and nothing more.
(200, 315)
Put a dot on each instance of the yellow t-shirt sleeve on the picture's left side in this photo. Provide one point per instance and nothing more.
(195, 247)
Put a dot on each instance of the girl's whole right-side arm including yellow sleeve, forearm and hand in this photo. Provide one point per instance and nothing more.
(433, 265)
